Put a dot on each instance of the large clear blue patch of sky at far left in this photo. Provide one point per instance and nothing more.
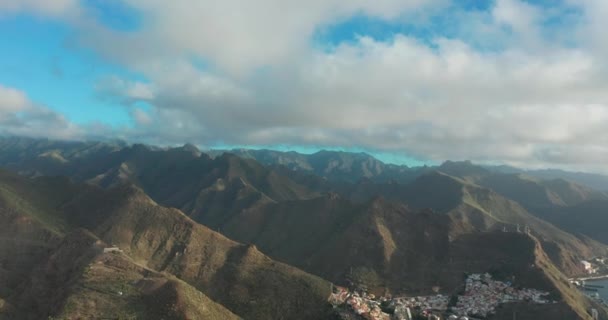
(38, 57)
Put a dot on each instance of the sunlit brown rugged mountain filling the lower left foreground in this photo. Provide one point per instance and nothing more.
(163, 254)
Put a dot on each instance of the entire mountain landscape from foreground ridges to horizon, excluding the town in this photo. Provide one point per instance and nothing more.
(262, 234)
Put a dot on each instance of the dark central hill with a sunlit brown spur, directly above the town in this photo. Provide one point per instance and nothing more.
(333, 237)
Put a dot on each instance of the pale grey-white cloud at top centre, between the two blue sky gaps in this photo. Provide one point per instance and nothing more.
(236, 35)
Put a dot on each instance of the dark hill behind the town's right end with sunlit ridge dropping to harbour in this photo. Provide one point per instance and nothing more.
(520, 258)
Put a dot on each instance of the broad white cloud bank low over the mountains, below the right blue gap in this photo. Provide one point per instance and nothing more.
(447, 102)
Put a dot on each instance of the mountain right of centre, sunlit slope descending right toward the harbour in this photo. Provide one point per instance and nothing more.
(472, 208)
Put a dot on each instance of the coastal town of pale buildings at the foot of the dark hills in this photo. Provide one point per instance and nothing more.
(481, 296)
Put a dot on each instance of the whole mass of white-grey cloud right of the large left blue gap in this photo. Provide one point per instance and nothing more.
(242, 72)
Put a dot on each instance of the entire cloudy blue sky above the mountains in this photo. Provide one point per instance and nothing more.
(412, 81)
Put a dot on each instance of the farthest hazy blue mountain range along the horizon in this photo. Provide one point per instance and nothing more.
(27, 154)
